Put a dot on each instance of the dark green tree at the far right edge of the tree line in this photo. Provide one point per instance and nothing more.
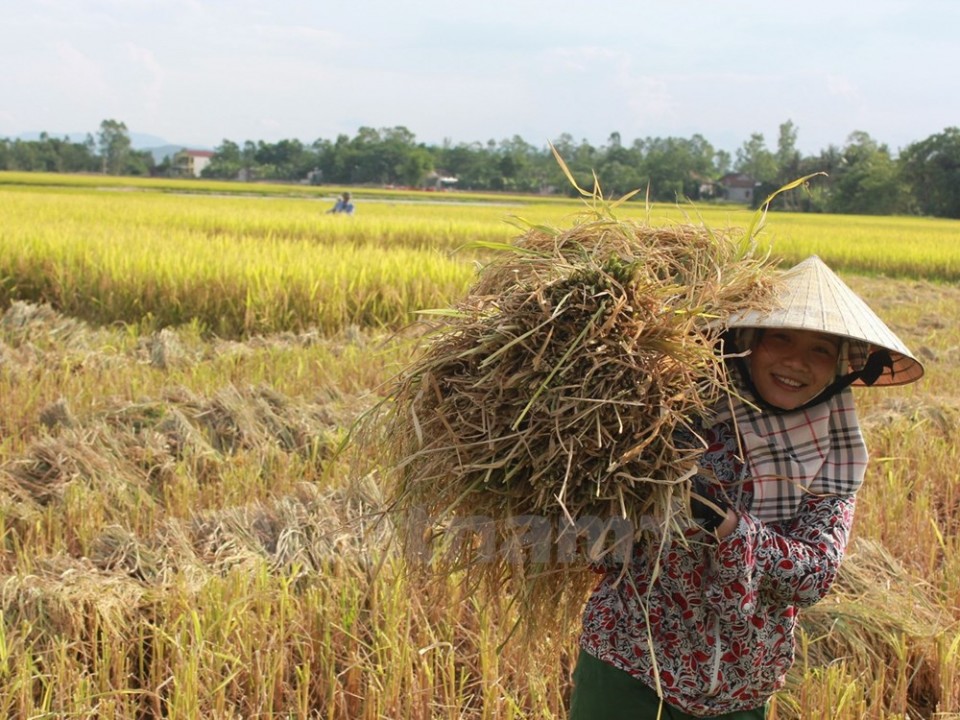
(931, 168)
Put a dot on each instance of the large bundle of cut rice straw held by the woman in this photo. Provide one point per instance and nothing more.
(549, 398)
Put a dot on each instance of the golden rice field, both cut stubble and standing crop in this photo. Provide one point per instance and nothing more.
(180, 363)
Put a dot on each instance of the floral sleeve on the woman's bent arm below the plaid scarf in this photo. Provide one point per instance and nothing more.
(793, 563)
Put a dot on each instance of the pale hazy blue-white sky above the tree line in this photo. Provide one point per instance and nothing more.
(198, 72)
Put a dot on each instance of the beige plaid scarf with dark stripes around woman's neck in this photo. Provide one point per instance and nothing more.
(818, 450)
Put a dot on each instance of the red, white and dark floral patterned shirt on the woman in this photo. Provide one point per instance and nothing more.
(710, 624)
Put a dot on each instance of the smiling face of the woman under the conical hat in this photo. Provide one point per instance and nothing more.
(790, 367)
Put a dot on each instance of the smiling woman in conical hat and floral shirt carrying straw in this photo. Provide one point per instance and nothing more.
(704, 627)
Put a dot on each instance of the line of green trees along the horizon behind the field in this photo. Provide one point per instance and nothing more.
(860, 177)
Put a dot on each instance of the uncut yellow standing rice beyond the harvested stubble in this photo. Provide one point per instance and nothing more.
(242, 266)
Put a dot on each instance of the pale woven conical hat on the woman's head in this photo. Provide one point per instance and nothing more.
(812, 297)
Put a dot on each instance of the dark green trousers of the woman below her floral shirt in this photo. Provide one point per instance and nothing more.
(603, 692)
